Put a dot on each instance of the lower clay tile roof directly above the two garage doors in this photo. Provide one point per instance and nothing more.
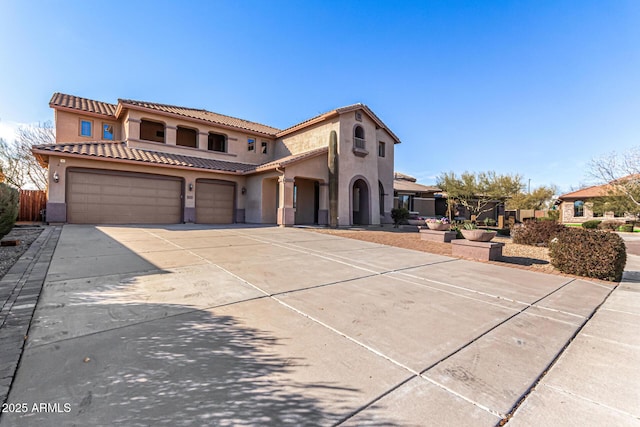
(120, 151)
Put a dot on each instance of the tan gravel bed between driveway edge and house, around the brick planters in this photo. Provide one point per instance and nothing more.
(521, 256)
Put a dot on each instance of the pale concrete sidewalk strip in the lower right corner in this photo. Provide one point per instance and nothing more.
(596, 381)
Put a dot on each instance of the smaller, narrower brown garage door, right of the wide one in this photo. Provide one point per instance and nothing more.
(214, 202)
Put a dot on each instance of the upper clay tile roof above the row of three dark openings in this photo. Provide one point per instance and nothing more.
(205, 115)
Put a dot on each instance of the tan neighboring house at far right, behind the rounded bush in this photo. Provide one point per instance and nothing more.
(575, 207)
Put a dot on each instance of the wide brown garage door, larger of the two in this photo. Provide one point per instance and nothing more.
(109, 197)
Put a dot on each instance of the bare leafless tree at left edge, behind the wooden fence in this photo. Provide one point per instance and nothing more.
(18, 163)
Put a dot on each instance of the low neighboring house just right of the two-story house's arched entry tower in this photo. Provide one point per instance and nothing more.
(426, 200)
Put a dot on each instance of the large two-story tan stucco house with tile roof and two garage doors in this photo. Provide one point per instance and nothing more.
(140, 162)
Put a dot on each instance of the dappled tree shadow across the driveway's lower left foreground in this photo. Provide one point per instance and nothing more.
(190, 369)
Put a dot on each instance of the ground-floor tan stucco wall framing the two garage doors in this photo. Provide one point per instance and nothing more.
(60, 165)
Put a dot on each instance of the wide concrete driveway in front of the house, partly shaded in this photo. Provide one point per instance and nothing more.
(190, 325)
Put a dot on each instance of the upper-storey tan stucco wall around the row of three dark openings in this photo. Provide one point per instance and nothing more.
(236, 140)
